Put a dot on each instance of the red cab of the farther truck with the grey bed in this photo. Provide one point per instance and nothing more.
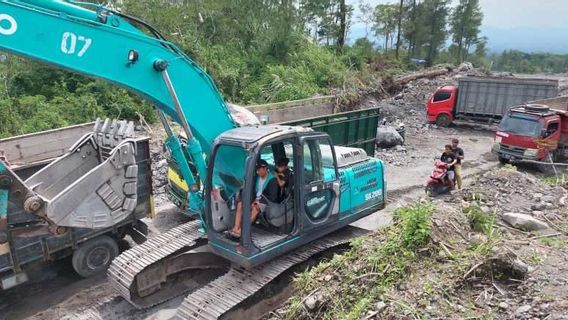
(440, 106)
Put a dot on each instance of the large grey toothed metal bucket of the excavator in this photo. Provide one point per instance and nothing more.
(93, 185)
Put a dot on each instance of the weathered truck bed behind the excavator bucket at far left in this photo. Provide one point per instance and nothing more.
(29, 237)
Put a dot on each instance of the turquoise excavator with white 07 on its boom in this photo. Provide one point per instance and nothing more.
(333, 186)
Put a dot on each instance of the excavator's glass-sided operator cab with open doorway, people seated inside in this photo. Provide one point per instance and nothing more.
(307, 209)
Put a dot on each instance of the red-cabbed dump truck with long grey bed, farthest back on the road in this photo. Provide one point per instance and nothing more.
(485, 99)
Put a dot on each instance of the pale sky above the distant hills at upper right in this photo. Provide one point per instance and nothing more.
(507, 14)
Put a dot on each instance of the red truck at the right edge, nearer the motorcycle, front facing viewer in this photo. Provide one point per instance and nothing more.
(536, 131)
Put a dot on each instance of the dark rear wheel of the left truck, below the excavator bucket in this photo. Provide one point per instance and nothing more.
(94, 256)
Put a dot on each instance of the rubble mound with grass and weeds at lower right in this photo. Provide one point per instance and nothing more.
(457, 257)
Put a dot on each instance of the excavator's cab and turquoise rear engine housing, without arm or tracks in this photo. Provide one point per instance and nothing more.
(330, 188)
